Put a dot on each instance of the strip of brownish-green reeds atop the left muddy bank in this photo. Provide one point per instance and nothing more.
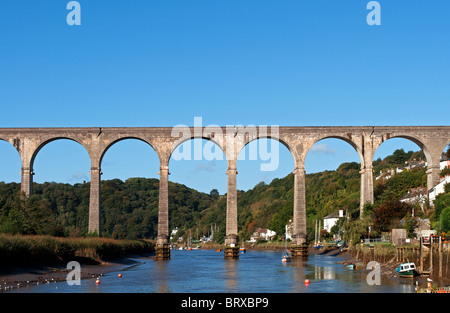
(19, 250)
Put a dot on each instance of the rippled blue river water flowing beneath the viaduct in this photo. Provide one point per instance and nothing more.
(206, 271)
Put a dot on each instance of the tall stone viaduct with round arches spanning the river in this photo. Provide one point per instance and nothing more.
(231, 139)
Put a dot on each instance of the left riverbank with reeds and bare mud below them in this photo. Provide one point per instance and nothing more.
(28, 260)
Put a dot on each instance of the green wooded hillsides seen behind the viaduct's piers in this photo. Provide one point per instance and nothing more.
(130, 208)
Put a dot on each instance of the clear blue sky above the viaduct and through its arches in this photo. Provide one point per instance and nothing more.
(260, 62)
